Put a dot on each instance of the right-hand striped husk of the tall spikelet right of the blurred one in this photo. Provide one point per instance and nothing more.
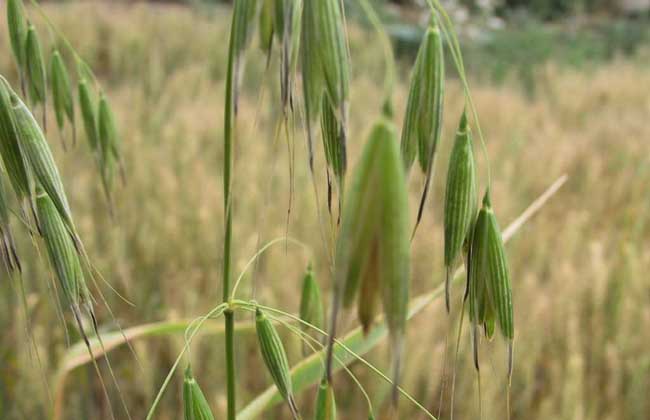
(431, 98)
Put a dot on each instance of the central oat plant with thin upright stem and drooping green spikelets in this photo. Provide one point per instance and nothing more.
(370, 255)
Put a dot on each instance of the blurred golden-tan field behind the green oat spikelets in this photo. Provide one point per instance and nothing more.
(579, 267)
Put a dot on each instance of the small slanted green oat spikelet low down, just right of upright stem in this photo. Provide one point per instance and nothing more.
(275, 359)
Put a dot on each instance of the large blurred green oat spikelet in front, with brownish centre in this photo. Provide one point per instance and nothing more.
(376, 215)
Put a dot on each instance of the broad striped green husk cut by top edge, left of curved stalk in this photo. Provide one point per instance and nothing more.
(330, 33)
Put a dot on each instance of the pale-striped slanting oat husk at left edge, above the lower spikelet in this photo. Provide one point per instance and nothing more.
(38, 154)
